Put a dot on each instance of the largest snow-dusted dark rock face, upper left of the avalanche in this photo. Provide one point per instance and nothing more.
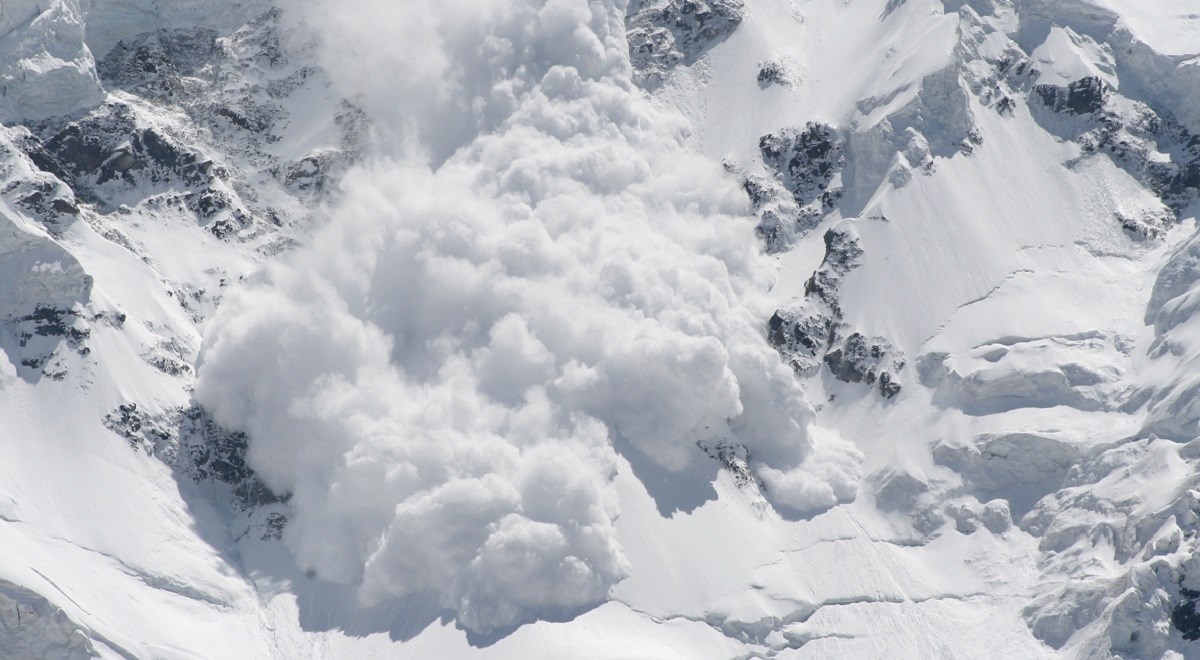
(220, 95)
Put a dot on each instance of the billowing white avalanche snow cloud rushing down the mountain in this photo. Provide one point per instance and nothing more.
(531, 266)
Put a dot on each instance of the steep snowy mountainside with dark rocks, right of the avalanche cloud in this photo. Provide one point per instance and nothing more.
(1018, 185)
